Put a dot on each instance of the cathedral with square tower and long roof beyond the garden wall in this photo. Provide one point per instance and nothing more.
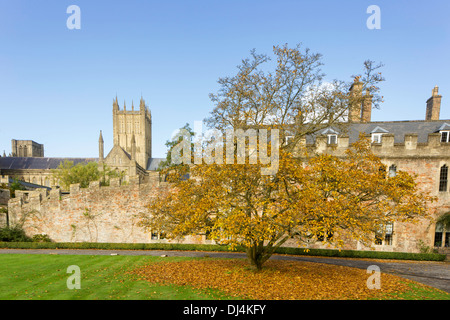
(131, 151)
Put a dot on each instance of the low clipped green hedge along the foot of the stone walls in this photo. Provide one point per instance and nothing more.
(213, 247)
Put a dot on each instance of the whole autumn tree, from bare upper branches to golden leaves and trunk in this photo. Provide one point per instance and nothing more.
(320, 197)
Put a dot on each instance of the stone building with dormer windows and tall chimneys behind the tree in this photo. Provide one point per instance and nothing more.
(420, 147)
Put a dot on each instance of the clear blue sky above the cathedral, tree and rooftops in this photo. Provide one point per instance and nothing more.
(57, 85)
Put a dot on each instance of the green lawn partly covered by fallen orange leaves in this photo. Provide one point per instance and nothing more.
(104, 277)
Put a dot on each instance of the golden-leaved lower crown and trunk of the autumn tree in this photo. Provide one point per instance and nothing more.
(321, 198)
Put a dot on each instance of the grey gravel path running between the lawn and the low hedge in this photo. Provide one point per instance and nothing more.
(434, 274)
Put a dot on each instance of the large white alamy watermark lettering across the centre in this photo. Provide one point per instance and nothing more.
(210, 146)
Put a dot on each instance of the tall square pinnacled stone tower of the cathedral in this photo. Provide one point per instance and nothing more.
(132, 130)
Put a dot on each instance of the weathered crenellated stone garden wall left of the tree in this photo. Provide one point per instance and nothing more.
(94, 214)
